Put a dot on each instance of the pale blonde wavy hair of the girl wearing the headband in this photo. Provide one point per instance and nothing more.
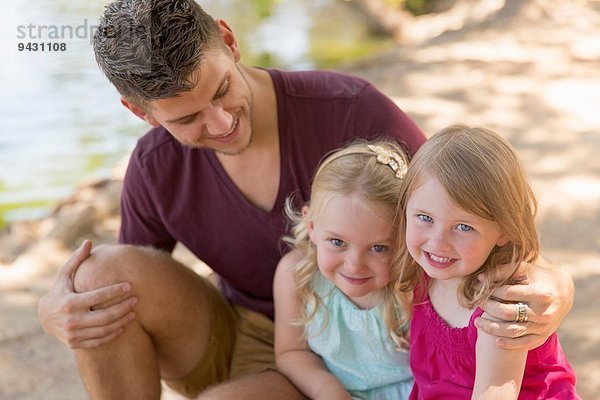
(350, 171)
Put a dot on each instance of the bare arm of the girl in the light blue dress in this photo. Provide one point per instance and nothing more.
(293, 357)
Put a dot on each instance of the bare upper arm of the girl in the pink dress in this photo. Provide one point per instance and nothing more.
(499, 372)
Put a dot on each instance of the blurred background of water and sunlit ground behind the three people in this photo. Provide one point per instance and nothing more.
(529, 69)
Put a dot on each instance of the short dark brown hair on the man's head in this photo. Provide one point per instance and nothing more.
(151, 49)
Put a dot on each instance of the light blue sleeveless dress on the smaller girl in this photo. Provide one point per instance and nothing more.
(356, 347)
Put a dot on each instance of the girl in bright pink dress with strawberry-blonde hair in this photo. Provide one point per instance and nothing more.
(467, 216)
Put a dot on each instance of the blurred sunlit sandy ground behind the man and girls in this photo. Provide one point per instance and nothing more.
(532, 74)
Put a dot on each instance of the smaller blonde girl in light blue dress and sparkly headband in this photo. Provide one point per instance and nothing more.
(339, 331)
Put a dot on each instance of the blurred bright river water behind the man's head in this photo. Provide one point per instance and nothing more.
(62, 123)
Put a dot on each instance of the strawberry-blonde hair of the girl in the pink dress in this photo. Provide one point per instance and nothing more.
(483, 175)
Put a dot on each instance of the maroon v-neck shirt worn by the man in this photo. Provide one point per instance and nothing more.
(175, 194)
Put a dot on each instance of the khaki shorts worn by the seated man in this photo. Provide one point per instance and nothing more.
(241, 342)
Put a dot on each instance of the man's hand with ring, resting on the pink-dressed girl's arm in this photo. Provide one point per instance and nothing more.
(548, 294)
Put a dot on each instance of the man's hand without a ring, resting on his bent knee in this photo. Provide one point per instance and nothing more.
(80, 320)
